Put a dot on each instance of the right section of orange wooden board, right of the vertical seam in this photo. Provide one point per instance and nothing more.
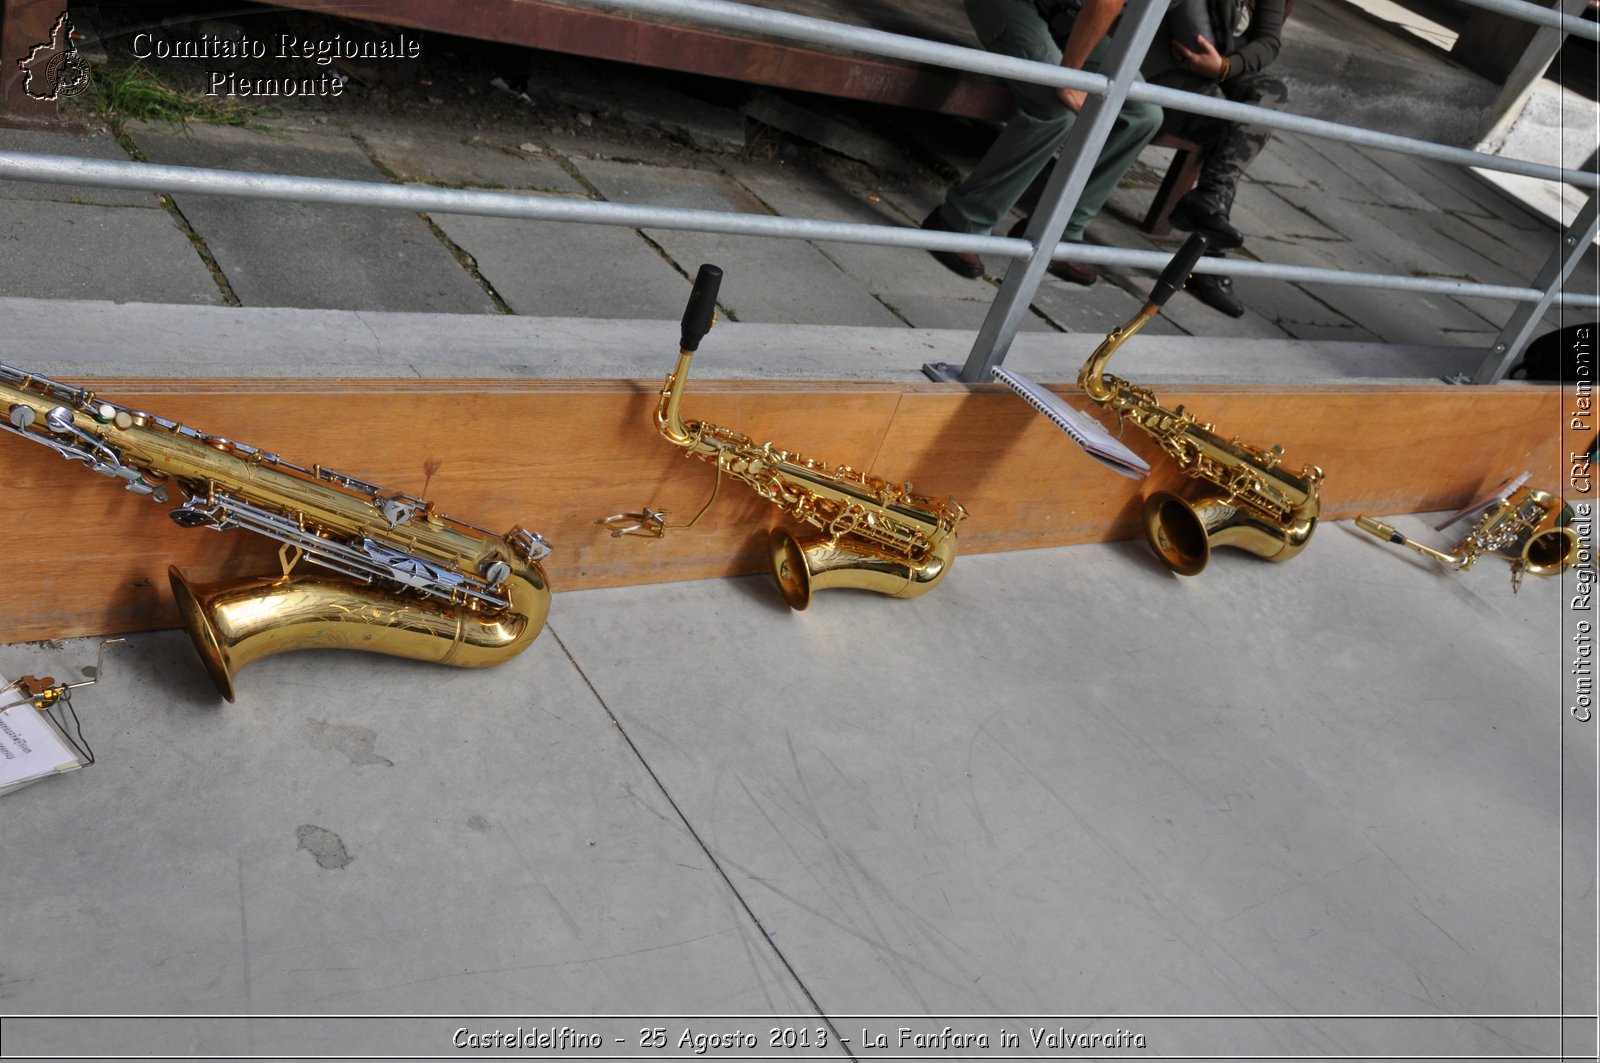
(1385, 451)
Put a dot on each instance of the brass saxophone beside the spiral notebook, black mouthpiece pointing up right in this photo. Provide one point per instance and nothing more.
(1249, 502)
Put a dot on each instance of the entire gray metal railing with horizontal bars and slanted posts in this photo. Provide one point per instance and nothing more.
(1031, 255)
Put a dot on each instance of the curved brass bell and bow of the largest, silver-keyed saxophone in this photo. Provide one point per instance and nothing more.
(238, 622)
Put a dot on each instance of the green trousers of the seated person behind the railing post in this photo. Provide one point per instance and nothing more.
(1039, 127)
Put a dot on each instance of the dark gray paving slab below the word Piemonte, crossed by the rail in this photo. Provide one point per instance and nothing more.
(310, 255)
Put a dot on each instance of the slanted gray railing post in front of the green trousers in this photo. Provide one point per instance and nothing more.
(1062, 195)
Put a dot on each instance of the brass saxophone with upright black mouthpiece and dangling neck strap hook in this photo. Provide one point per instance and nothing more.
(876, 536)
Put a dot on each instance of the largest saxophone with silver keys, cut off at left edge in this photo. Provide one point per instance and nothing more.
(410, 582)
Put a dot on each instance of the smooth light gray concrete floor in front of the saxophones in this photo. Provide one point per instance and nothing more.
(1065, 784)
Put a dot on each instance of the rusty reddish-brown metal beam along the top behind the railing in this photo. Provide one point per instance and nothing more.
(689, 49)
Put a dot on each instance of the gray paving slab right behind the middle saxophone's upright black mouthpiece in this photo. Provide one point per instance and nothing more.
(766, 281)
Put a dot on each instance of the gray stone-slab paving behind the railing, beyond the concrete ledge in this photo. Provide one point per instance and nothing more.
(1306, 203)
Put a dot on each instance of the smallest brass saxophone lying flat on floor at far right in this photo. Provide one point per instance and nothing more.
(1529, 529)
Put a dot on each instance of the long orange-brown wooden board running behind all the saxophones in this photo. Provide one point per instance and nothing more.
(558, 455)
